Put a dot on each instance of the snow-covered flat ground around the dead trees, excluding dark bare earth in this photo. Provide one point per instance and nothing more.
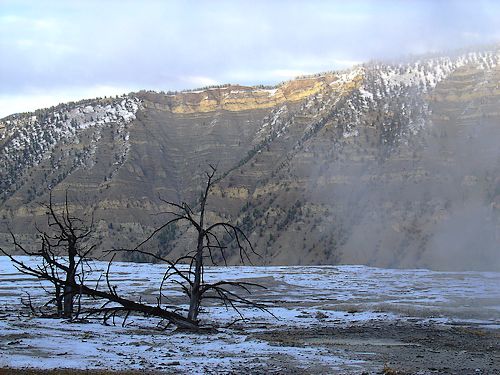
(323, 297)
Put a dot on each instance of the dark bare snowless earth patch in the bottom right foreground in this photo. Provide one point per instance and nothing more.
(402, 347)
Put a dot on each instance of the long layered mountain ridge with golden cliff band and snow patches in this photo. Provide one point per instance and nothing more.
(385, 164)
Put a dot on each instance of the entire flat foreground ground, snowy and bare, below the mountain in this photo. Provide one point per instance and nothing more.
(347, 319)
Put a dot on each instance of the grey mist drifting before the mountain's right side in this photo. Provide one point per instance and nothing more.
(430, 200)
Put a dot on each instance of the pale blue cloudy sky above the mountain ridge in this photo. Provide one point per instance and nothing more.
(57, 51)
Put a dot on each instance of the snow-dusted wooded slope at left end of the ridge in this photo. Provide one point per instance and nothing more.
(27, 139)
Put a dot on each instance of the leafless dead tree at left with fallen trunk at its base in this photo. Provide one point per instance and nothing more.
(63, 255)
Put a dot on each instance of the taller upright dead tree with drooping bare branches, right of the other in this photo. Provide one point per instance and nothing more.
(208, 241)
